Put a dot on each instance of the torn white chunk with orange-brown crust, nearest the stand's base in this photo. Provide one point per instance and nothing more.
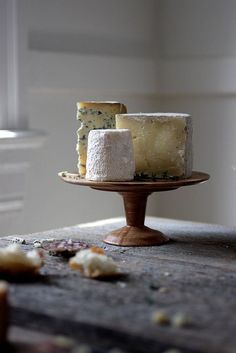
(93, 263)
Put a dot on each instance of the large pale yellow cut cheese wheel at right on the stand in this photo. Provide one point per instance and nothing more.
(162, 143)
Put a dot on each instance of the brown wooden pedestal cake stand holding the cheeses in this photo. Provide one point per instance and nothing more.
(135, 194)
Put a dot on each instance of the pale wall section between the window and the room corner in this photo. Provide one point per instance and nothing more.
(80, 51)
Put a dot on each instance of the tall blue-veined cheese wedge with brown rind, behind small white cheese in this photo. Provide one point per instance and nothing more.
(94, 115)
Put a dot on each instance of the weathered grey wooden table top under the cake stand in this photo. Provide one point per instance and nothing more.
(197, 269)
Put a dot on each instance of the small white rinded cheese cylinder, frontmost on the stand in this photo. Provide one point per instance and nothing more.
(110, 155)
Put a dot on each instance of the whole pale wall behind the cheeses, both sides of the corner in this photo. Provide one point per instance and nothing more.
(152, 55)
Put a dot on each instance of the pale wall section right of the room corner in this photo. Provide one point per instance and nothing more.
(198, 60)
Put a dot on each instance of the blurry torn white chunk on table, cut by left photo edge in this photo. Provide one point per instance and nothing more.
(14, 261)
